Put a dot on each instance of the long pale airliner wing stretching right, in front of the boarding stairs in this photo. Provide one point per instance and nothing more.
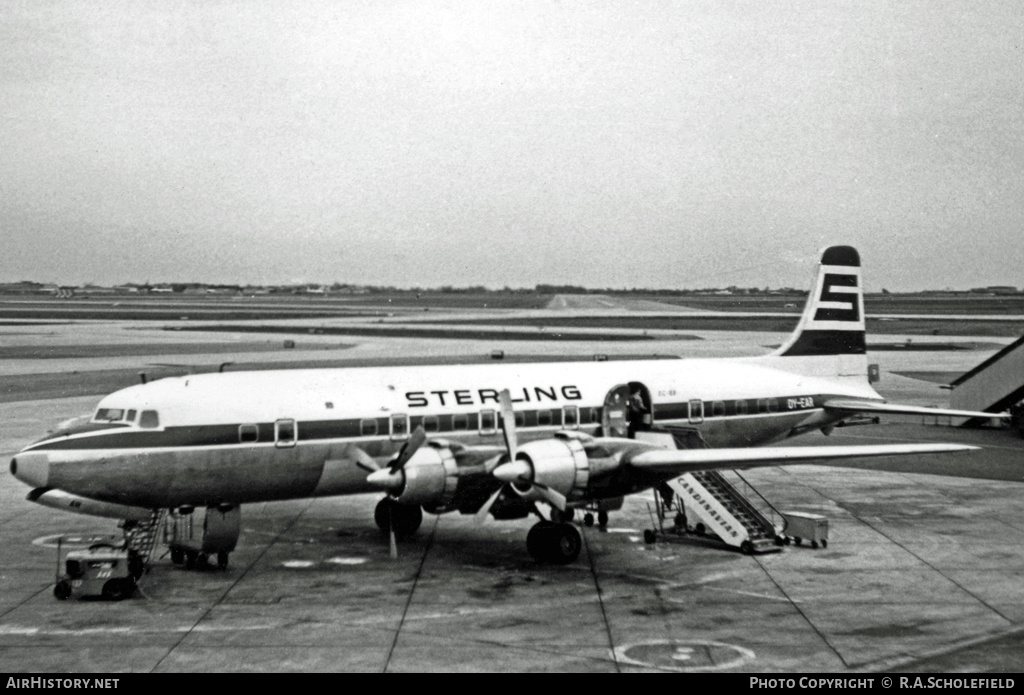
(685, 461)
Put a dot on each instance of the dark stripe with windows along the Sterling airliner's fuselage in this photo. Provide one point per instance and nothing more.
(445, 425)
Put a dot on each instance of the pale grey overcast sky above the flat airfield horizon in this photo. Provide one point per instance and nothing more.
(678, 144)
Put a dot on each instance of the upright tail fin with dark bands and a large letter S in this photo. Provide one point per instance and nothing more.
(830, 340)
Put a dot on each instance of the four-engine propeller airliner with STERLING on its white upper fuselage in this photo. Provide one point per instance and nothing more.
(479, 440)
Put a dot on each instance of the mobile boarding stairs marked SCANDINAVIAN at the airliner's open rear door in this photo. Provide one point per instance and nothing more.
(721, 504)
